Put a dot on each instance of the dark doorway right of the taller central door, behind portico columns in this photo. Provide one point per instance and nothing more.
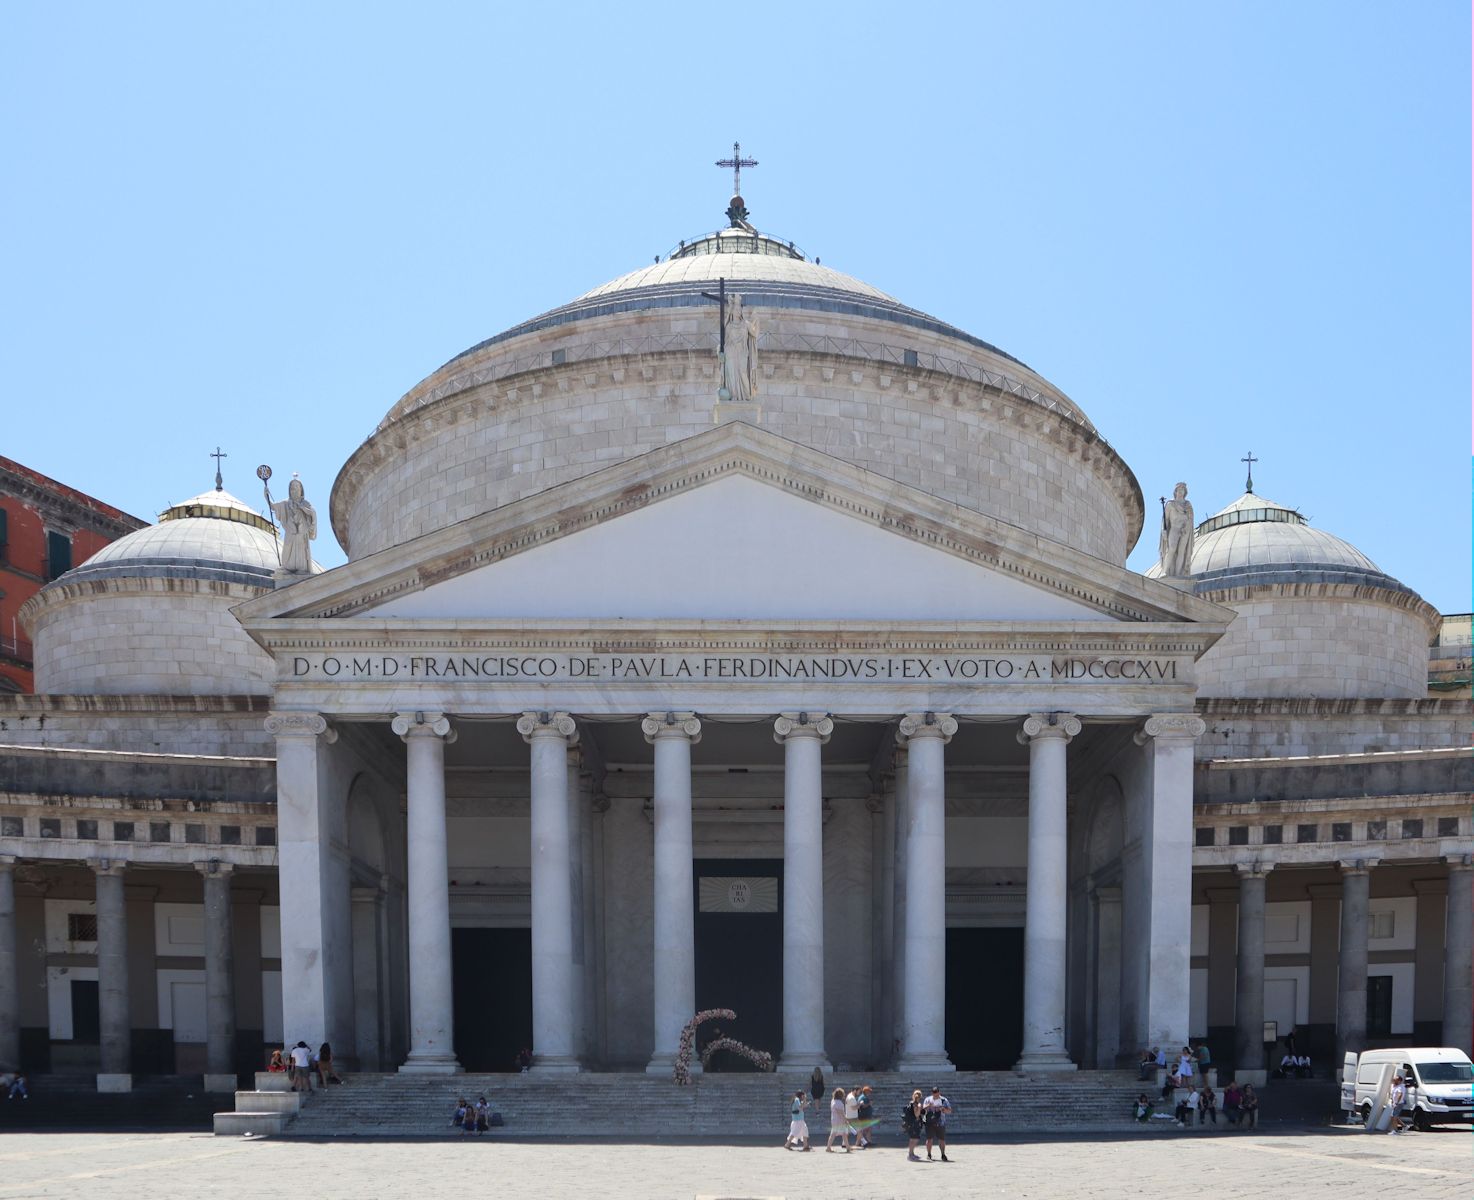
(984, 999)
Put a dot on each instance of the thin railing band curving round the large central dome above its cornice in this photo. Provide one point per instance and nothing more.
(707, 344)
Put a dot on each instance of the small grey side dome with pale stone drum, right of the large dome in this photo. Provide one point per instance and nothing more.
(1317, 618)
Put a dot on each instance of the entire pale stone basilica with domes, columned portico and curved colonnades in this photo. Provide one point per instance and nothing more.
(733, 636)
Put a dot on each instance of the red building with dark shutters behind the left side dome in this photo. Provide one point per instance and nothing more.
(46, 530)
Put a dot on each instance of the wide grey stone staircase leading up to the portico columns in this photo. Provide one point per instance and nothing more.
(716, 1108)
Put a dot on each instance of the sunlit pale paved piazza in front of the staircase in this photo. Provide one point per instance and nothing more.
(198, 1165)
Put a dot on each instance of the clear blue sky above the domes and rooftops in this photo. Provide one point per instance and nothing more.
(1218, 228)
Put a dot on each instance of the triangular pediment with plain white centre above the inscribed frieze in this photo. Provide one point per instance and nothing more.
(735, 524)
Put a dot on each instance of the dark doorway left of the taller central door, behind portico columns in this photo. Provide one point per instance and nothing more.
(493, 993)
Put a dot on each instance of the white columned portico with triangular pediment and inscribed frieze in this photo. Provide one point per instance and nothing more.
(960, 707)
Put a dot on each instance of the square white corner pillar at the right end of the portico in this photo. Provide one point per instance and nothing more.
(1167, 878)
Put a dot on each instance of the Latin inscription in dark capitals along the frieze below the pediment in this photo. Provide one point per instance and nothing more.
(729, 669)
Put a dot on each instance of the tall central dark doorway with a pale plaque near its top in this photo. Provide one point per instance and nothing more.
(739, 953)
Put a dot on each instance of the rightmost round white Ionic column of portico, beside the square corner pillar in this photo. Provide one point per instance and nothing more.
(1046, 915)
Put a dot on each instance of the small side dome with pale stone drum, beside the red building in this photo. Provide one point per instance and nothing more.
(150, 614)
